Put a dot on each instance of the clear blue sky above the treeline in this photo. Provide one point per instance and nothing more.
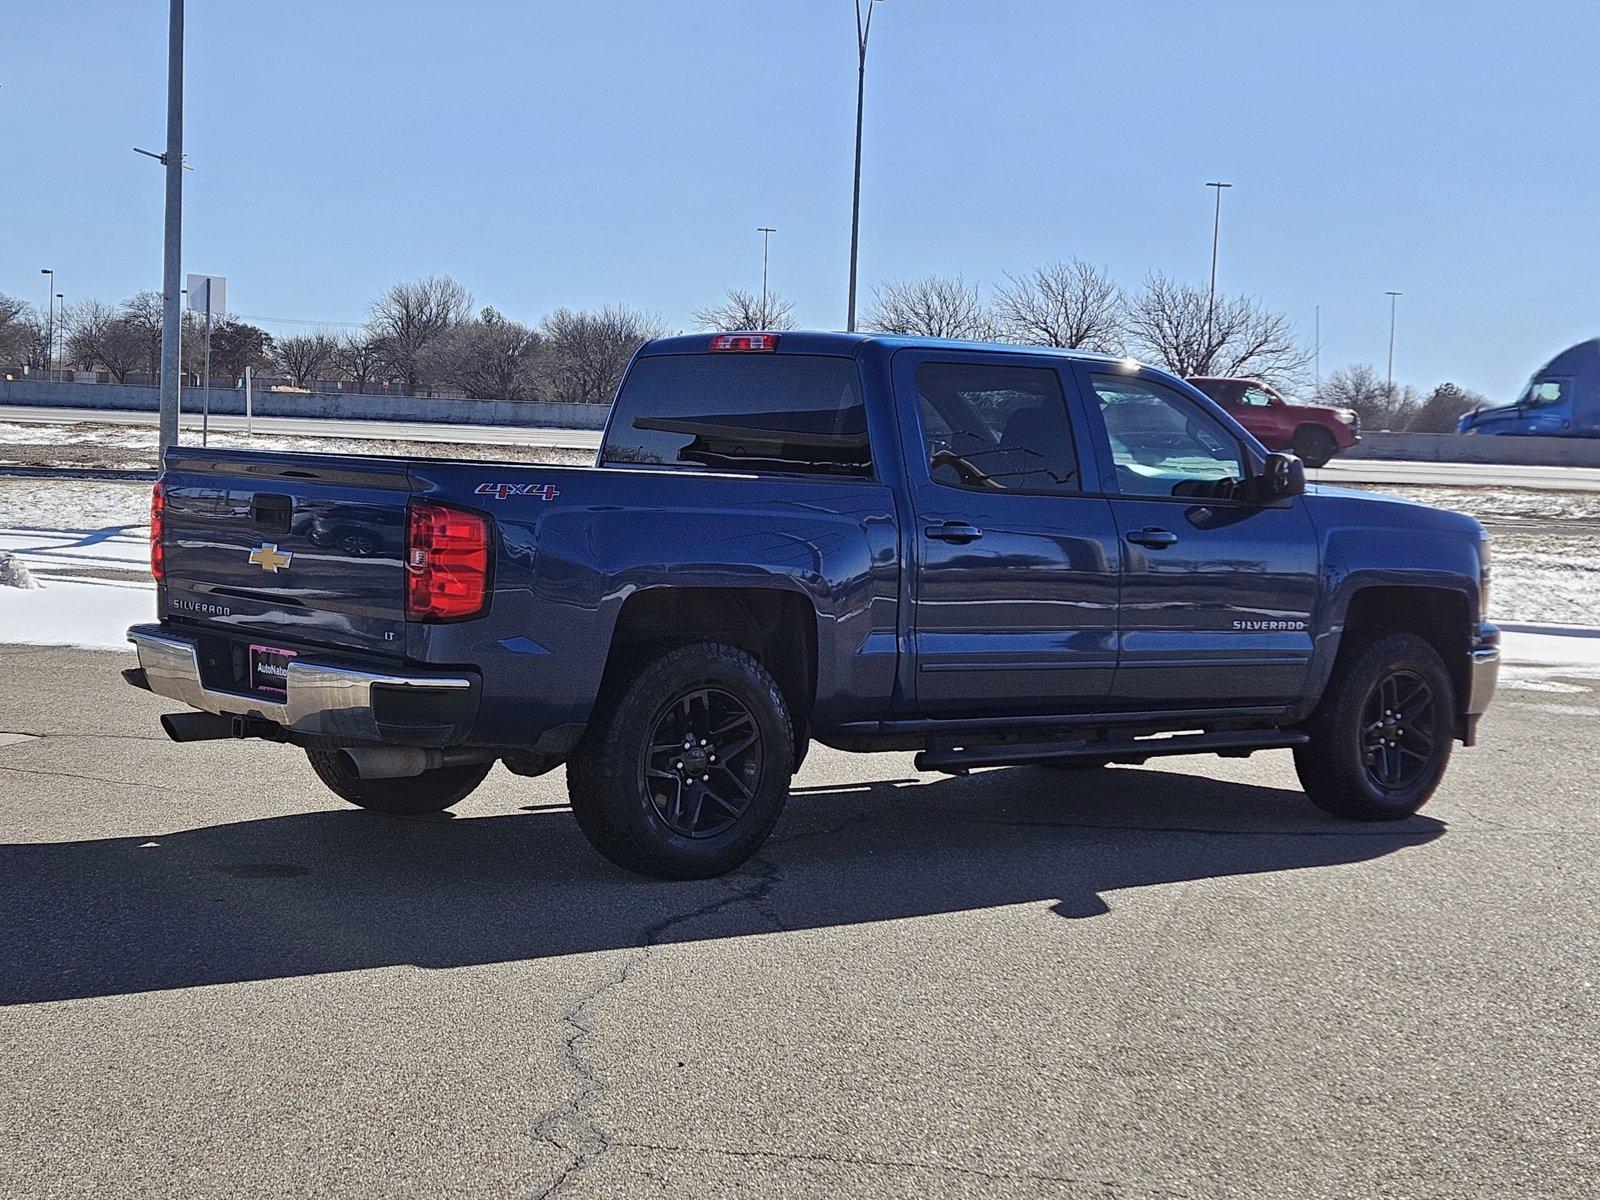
(626, 151)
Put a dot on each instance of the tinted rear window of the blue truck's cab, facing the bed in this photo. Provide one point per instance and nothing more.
(767, 414)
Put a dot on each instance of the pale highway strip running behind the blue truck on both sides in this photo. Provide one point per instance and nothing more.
(1340, 471)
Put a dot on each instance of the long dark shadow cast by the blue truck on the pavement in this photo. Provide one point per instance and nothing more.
(348, 890)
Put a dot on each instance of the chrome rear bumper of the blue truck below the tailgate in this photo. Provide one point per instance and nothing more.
(319, 700)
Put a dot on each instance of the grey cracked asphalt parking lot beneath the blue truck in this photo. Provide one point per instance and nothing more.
(1166, 982)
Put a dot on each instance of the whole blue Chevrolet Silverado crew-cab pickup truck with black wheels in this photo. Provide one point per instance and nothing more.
(988, 554)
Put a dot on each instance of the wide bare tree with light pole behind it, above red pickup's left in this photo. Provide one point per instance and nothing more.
(1170, 324)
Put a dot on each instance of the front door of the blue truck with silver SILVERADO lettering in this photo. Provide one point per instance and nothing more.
(1217, 593)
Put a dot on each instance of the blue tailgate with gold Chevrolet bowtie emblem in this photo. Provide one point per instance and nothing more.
(294, 548)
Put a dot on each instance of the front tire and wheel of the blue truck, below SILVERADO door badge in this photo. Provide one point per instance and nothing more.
(1382, 737)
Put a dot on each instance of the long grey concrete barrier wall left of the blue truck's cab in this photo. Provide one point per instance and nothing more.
(337, 406)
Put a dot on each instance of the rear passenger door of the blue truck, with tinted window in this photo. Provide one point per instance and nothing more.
(1015, 567)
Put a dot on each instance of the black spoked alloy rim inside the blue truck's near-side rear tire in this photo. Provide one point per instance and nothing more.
(703, 766)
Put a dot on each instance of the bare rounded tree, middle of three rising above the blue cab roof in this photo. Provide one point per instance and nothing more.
(1074, 305)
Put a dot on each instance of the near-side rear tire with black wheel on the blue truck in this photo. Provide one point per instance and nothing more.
(686, 766)
